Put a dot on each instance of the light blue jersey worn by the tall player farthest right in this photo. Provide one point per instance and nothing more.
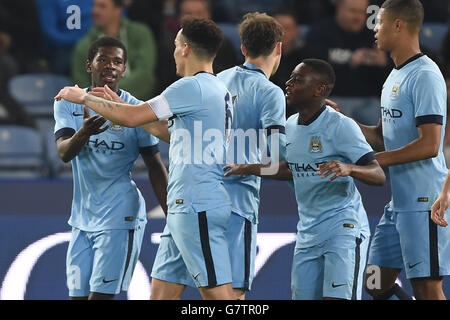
(414, 94)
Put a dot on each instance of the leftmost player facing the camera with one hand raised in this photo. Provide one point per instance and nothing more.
(108, 211)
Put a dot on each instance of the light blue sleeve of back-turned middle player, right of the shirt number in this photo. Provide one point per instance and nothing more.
(273, 110)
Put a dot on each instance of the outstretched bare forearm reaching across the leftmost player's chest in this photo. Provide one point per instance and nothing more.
(119, 113)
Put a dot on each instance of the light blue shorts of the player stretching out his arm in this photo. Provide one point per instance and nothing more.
(194, 249)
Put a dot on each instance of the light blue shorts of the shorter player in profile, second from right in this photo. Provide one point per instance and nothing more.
(333, 269)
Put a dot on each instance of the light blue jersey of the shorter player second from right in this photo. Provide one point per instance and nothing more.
(326, 208)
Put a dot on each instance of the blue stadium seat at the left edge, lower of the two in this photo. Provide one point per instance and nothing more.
(21, 153)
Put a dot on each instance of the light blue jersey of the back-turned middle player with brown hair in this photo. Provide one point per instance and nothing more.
(258, 104)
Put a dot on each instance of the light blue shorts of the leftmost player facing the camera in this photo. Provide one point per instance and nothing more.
(103, 261)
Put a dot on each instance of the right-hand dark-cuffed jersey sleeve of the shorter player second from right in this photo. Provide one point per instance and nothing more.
(351, 143)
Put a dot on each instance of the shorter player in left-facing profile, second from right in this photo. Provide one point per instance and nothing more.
(325, 151)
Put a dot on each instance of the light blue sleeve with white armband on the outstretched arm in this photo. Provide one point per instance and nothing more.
(179, 99)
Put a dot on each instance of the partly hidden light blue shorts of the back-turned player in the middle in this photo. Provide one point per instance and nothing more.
(241, 236)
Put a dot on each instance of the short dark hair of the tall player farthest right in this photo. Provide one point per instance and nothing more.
(411, 11)
